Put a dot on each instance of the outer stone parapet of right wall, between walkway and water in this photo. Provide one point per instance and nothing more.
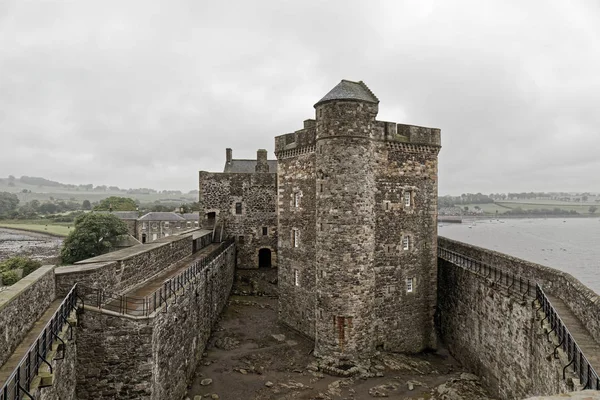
(584, 302)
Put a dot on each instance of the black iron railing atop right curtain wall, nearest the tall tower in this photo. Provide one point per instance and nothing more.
(508, 280)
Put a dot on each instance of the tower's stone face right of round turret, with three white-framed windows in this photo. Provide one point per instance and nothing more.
(401, 170)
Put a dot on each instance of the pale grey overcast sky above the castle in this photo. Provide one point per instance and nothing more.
(147, 93)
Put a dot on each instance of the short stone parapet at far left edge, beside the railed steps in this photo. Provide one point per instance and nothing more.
(21, 305)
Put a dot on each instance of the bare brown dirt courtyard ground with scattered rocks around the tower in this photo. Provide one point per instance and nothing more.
(251, 356)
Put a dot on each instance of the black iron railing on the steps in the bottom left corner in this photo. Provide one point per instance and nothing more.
(18, 385)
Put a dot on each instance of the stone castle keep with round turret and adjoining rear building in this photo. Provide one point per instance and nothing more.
(349, 218)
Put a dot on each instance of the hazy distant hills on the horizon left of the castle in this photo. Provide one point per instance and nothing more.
(29, 188)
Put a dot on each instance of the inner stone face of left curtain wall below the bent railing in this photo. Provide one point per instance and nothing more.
(152, 358)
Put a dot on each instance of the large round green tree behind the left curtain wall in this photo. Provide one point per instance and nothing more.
(92, 236)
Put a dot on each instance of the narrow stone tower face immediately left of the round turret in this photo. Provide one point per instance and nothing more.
(296, 212)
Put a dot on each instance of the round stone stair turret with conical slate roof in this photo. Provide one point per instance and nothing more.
(345, 234)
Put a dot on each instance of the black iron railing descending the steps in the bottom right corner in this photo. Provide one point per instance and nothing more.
(584, 370)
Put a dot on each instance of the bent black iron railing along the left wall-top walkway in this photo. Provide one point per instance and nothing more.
(144, 306)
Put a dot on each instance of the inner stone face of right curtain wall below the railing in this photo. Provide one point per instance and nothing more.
(494, 332)
